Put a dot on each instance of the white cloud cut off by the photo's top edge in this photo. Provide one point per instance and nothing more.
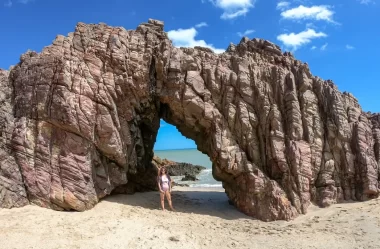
(233, 8)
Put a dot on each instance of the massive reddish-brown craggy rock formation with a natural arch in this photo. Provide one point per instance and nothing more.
(86, 113)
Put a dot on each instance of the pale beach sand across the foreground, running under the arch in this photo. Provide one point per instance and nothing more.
(204, 219)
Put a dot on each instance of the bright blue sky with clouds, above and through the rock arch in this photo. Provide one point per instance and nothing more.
(340, 40)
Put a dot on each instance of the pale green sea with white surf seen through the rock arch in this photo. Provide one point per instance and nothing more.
(195, 157)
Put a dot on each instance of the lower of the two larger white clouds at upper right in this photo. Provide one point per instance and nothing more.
(295, 41)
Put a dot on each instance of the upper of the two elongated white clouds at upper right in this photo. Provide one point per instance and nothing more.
(321, 12)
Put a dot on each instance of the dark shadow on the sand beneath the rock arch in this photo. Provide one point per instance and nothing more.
(211, 203)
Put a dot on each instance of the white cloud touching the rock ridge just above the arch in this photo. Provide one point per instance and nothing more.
(186, 38)
